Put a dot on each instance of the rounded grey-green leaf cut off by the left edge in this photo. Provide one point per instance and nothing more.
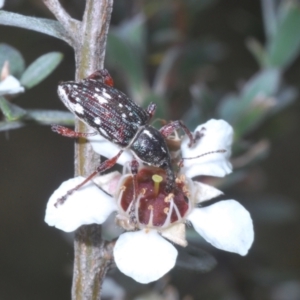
(14, 57)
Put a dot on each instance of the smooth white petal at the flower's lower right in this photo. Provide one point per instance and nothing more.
(227, 225)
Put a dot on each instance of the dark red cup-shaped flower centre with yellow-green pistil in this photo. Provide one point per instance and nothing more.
(153, 206)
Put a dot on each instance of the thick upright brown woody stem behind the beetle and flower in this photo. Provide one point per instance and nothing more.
(91, 257)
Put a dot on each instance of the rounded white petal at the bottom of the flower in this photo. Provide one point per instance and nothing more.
(144, 255)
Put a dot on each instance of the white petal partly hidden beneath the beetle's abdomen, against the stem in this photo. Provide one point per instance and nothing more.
(108, 149)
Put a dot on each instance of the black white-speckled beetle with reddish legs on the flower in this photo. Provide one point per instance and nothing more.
(118, 119)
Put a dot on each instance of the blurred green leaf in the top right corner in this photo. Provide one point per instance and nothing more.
(285, 45)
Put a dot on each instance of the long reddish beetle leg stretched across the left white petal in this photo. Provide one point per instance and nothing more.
(107, 164)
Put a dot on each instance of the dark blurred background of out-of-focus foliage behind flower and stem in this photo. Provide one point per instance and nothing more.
(198, 59)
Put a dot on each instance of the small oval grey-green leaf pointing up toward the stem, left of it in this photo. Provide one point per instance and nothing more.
(40, 69)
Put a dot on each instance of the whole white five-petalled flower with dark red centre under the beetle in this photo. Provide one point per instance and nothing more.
(145, 254)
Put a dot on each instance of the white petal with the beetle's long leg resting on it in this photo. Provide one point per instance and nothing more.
(88, 205)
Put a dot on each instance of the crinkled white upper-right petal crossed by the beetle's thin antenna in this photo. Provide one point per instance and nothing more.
(217, 135)
